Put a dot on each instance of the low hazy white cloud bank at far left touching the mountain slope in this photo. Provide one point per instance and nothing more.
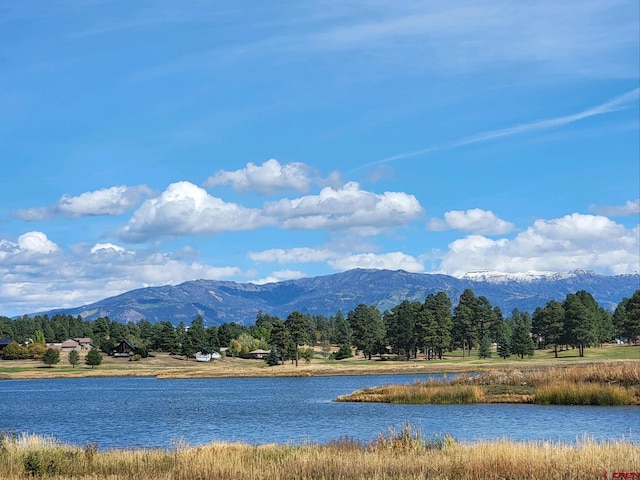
(85, 273)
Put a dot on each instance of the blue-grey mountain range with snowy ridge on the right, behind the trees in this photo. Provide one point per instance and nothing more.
(219, 302)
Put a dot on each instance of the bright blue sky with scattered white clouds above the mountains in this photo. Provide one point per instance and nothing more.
(153, 142)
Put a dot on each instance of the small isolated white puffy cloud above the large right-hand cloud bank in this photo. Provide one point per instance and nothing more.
(475, 220)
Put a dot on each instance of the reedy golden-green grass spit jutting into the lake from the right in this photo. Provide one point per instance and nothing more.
(611, 383)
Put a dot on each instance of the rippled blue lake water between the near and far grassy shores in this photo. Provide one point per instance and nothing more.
(130, 412)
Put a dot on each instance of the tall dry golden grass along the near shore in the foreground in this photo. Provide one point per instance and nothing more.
(406, 454)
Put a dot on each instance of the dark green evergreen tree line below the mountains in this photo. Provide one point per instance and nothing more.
(409, 329)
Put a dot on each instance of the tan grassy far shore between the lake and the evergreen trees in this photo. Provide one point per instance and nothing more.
(163, 365)
